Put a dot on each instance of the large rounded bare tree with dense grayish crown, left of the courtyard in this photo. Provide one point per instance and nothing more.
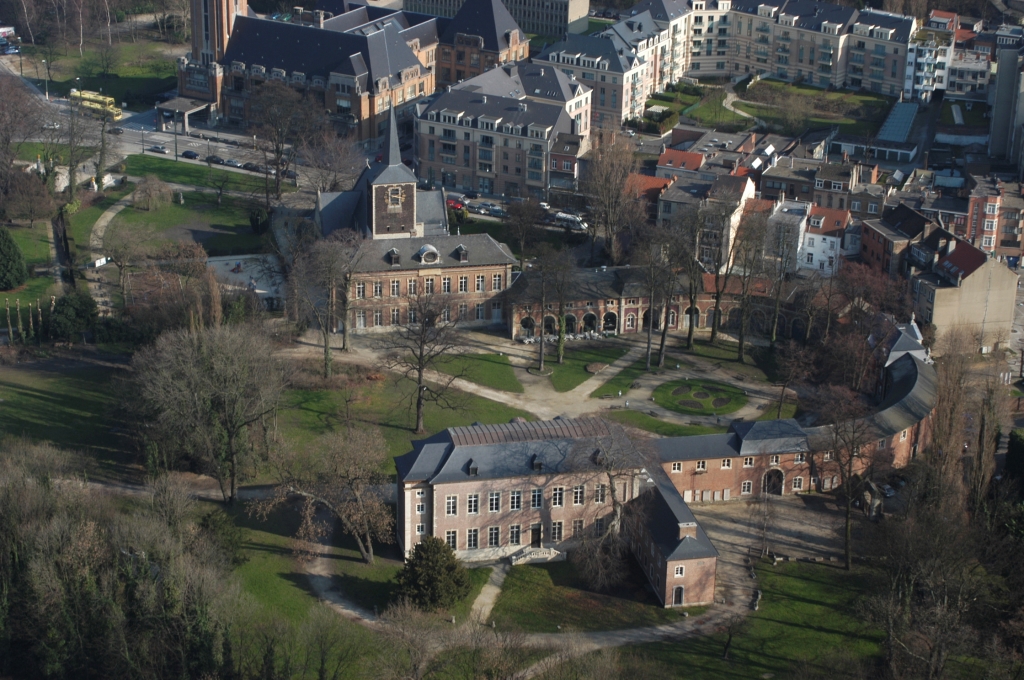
(207, 395)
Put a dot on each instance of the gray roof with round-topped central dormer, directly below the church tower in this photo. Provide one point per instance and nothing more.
(482, 248)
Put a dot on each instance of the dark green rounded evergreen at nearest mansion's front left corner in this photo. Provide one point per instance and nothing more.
(434, 578)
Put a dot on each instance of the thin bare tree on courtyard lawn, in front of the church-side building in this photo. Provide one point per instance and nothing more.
(414, 350)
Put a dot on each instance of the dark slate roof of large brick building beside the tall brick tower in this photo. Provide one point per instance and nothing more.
(316, 52)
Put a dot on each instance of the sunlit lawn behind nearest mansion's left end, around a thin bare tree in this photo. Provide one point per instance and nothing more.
(385, 404)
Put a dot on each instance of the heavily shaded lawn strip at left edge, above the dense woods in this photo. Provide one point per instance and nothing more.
(67, 403)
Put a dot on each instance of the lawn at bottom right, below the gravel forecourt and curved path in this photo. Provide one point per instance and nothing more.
(807, 616)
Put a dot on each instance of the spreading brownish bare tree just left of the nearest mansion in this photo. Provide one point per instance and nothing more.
(338, 472)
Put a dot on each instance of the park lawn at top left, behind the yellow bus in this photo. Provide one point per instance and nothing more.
(141, 71)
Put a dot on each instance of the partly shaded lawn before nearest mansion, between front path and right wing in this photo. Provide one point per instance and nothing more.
(539, 599)
